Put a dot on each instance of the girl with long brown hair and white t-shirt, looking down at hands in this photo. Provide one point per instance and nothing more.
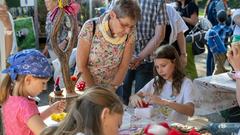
(170, 88)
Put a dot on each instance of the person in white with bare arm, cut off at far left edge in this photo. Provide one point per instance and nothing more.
(8, 44)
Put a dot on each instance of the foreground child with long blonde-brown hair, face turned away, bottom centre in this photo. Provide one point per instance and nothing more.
(97, 112)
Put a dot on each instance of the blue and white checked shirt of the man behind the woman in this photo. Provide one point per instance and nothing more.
(153, 12)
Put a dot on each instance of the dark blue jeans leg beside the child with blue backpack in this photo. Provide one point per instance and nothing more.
(210, 62)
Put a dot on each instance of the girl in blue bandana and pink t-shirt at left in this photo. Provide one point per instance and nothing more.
(26, 77)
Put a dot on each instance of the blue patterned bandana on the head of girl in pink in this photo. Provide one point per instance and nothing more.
(28, 62)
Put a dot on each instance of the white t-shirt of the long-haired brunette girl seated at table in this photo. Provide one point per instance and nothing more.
(184, 97)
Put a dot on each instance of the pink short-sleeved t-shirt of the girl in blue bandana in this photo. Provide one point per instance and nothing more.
(17, 111)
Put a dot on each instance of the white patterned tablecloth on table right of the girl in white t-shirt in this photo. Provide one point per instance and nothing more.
(214, 93)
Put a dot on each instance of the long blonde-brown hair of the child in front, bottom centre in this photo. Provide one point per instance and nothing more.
(85, 113)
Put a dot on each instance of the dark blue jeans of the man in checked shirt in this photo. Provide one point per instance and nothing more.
(142, 75)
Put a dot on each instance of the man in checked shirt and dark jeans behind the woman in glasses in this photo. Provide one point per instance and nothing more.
(150, 33)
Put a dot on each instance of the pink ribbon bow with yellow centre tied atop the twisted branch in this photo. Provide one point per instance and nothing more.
(71, 9)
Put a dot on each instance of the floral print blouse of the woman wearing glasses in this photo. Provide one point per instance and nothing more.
(104, 57)
